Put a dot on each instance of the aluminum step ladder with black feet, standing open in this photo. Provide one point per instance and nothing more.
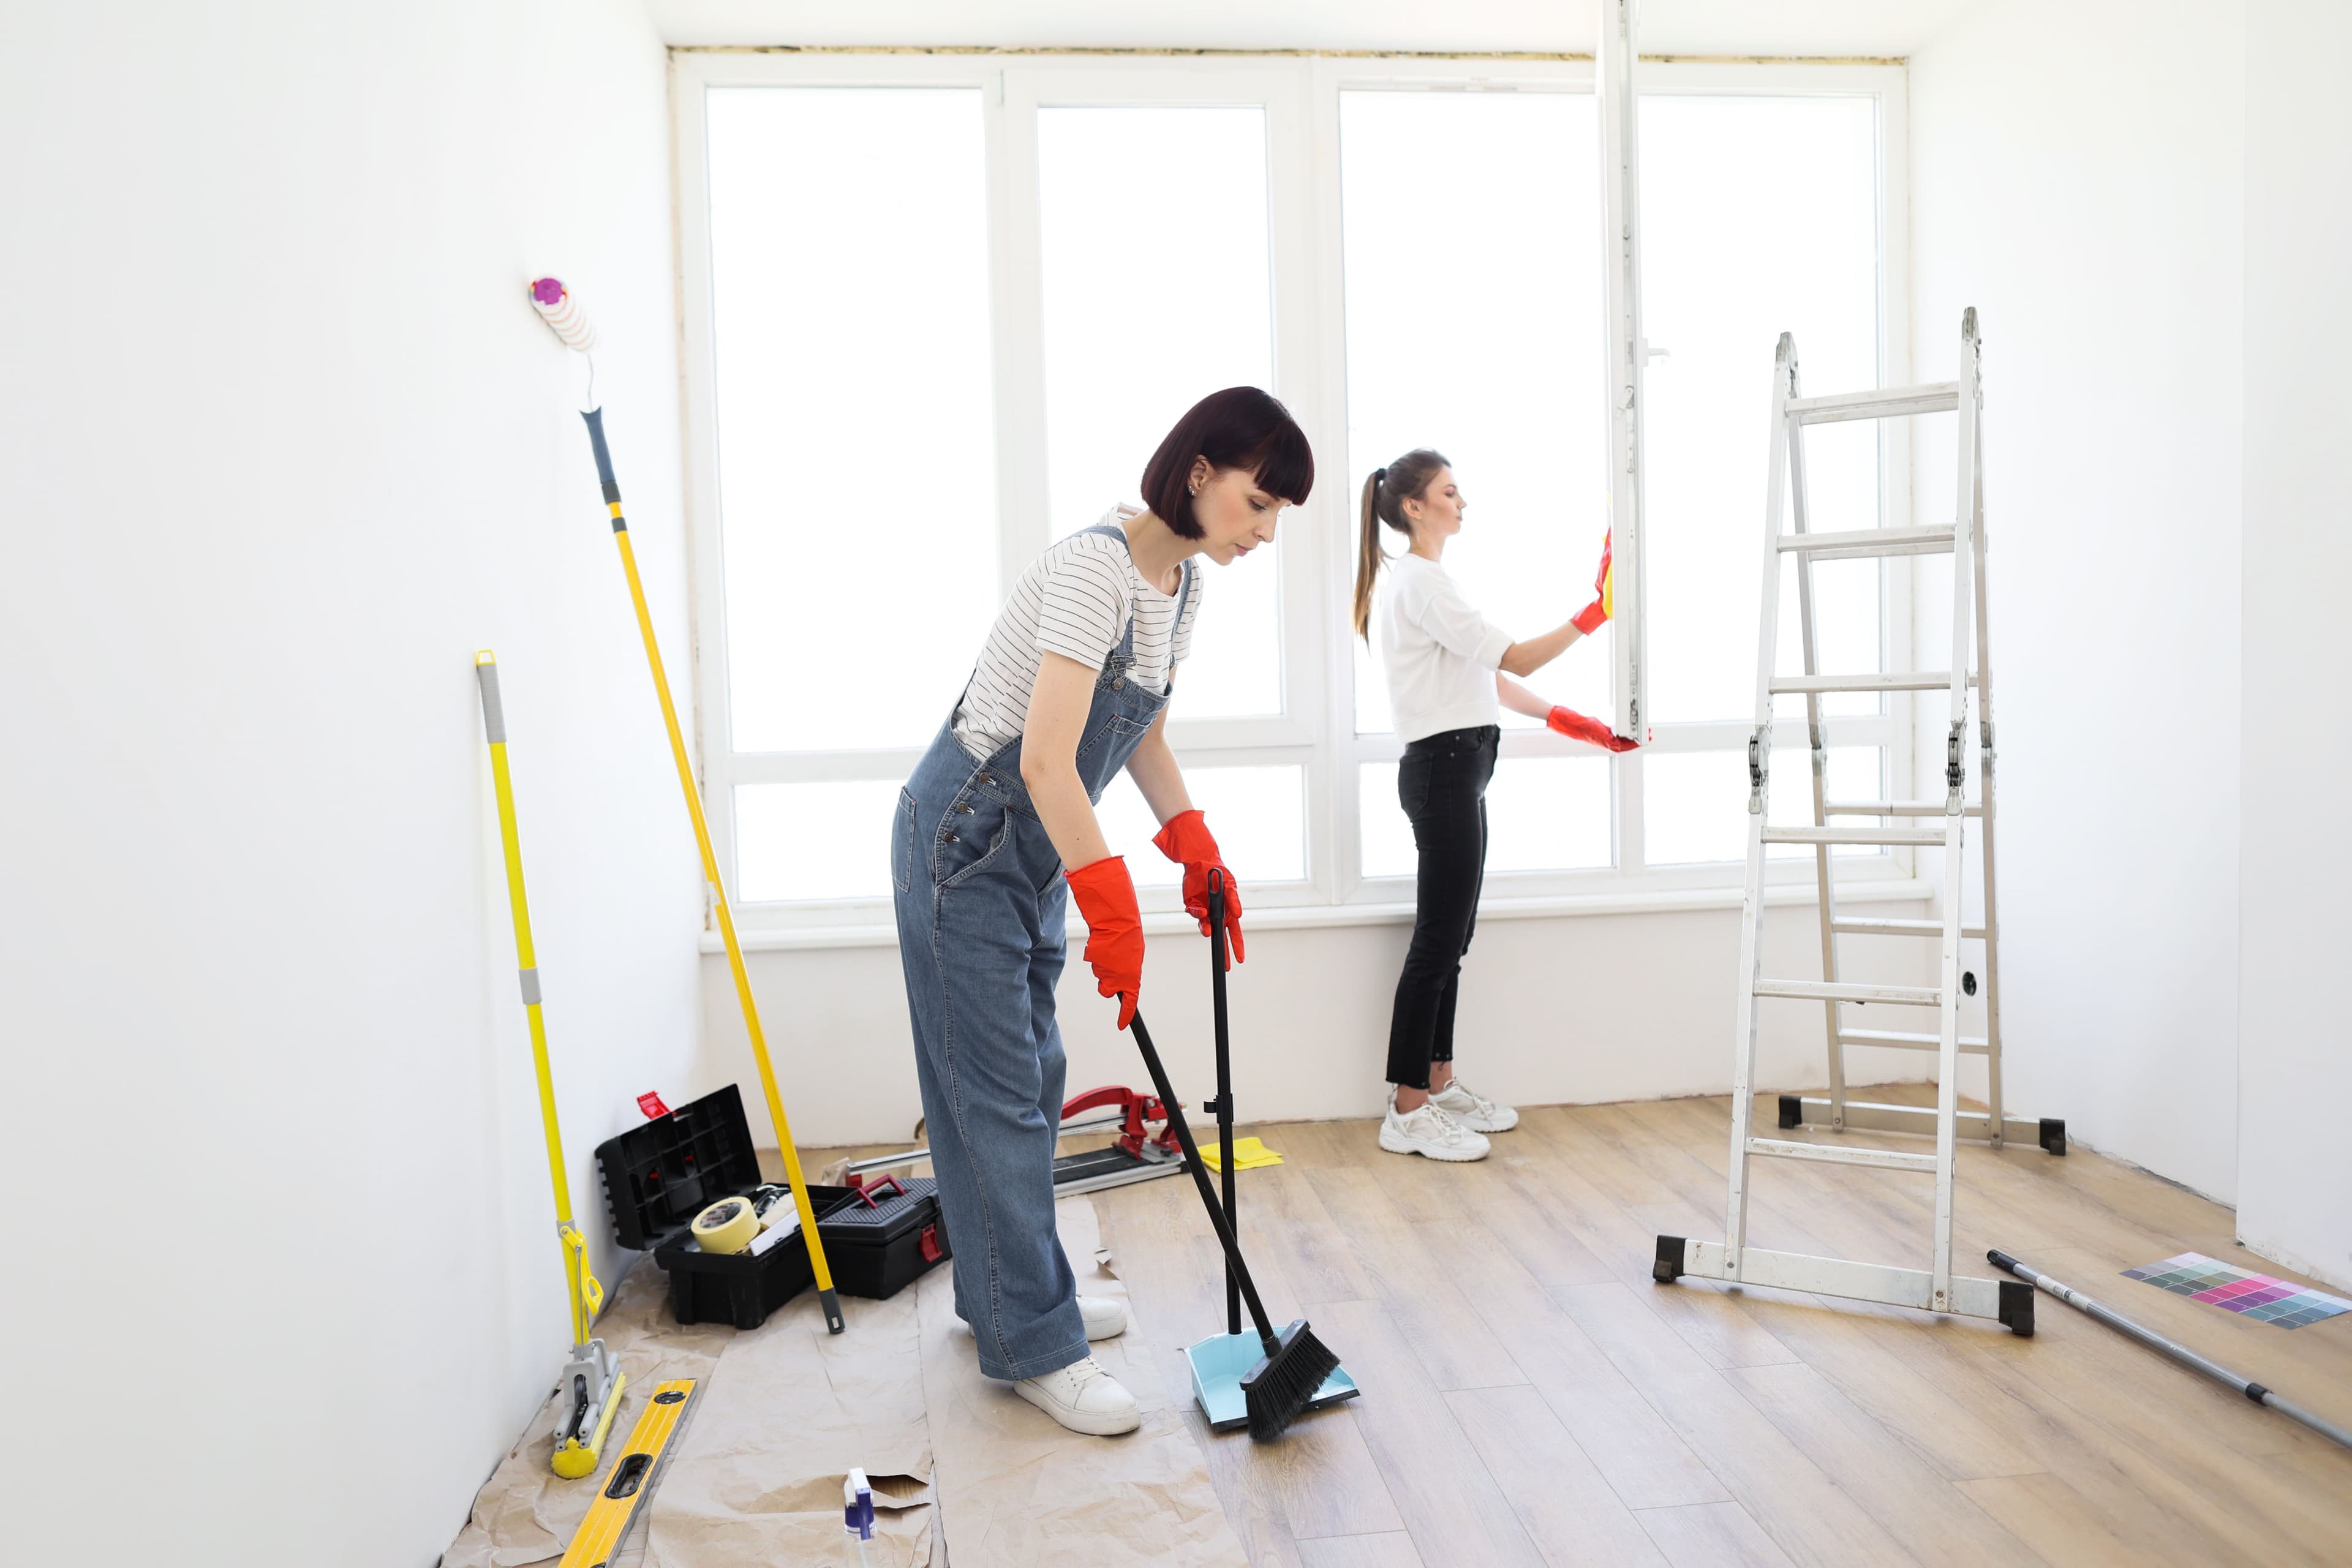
(1935, 1289)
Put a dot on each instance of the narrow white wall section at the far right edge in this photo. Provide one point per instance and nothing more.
(2297, 934)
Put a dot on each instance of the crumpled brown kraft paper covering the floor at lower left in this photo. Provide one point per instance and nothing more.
(961, 1466)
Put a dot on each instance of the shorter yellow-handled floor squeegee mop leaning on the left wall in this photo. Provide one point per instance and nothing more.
(592, 1381)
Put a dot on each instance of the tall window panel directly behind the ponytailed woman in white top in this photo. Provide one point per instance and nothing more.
(1474, 295)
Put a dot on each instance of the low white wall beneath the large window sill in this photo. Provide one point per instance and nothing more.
(1558, 1010)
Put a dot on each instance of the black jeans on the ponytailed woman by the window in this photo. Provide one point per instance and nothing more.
(1443, 789)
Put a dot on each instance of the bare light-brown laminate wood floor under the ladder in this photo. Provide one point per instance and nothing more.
(1535, 1398)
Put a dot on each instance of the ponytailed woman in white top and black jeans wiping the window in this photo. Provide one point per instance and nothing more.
(1448, 678)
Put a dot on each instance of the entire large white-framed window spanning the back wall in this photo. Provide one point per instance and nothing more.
(942, 309)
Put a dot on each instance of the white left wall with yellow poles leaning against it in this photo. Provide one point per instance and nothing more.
(283, 450)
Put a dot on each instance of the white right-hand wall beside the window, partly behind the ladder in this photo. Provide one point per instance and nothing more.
(2078, 175)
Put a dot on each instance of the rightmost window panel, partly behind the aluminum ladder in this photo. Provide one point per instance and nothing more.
(1760, 215)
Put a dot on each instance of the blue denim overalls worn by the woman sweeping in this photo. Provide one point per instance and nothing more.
(982, 913)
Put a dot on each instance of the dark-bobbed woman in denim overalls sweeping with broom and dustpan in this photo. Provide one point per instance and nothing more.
(1069, 690)
